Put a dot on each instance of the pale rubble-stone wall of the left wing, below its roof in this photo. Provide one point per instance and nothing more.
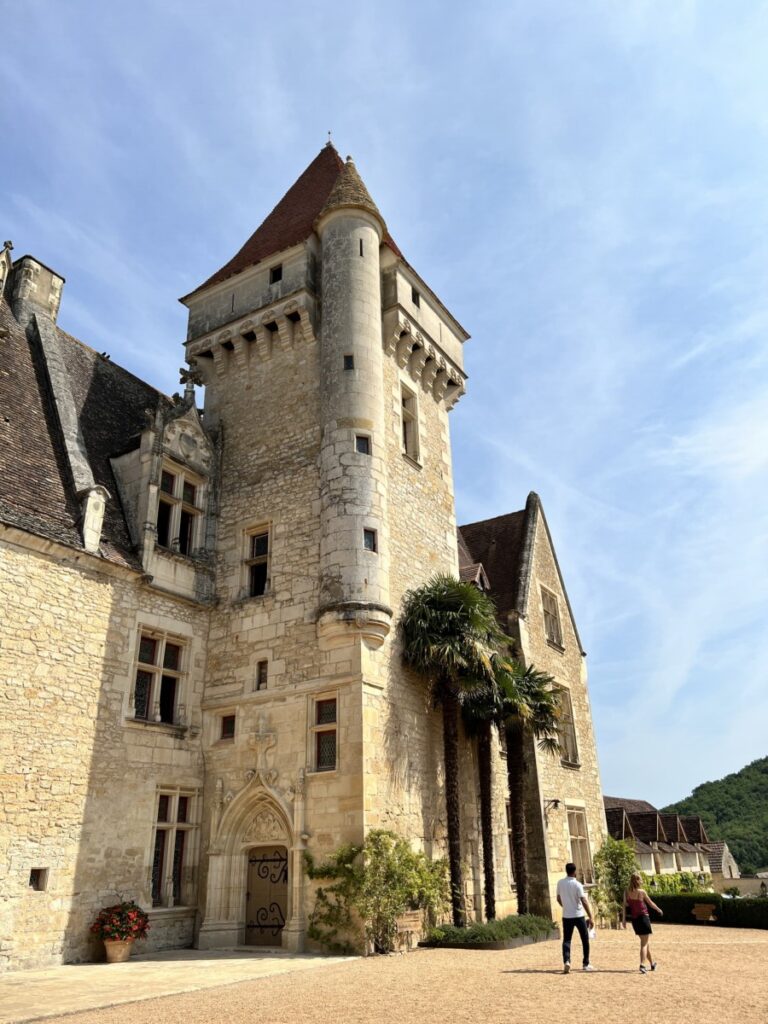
(79, 780)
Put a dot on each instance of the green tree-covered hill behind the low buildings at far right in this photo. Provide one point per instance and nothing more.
(736, 809)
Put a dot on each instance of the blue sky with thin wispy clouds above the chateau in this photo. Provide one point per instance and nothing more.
(583, 184)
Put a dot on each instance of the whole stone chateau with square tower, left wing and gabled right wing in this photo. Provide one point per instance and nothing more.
(200, 654)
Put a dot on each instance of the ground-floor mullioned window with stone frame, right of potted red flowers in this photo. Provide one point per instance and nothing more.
(168, 889)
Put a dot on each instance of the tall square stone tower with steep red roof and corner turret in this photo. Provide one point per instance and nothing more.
(330, 368)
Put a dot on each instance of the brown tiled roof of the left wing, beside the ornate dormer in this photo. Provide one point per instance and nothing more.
(37, 492)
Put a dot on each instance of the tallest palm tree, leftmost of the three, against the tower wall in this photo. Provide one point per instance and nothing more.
(451, 634)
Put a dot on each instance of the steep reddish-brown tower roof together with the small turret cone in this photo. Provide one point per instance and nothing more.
(328, 183)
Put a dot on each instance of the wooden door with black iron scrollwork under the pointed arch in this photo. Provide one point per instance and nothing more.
(267, 895)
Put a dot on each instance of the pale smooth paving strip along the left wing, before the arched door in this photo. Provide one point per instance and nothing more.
(32, 996)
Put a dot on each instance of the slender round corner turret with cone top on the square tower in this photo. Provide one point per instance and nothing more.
(355, 560)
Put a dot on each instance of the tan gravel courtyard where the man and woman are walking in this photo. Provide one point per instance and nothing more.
(713, 974)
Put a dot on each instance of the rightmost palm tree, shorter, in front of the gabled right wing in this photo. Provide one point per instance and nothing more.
(530, 708)
